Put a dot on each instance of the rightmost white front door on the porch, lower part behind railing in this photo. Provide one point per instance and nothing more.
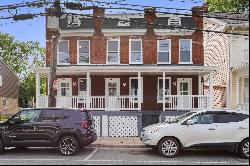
(184, 88)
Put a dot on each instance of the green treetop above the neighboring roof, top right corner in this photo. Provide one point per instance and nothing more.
(228, 5)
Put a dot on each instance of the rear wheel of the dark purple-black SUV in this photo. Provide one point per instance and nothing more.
(68, 145)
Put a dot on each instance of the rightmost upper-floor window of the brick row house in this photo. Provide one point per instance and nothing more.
(185, 51)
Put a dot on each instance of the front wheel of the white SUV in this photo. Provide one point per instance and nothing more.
(169, 147)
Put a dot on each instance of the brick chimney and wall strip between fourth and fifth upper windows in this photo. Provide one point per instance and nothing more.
(150, 39)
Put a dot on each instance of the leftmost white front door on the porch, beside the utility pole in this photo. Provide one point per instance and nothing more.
(64, 93)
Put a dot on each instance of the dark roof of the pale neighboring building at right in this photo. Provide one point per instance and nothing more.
(236, 17)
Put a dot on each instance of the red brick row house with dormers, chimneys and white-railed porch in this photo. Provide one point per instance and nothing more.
(121, 62)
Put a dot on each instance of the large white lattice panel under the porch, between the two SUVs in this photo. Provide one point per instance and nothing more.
(123, 126)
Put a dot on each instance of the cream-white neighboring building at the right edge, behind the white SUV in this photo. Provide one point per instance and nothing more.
(231, 54)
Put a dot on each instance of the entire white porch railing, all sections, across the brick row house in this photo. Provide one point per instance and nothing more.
(116, 103)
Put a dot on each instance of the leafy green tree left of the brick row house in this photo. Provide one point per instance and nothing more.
(21, 57)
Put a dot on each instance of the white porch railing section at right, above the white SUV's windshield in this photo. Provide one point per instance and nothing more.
(186, 102)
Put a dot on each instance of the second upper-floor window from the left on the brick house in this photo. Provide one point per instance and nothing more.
(83, 51)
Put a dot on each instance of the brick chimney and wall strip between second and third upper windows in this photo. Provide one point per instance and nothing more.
(98, 42)
